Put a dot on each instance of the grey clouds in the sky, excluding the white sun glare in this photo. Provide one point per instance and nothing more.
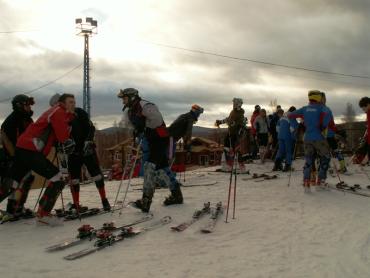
(326, 35)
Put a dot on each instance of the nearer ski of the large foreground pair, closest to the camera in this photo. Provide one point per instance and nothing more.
(107, 238)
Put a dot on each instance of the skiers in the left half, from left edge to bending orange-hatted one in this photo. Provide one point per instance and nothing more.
(27, 144)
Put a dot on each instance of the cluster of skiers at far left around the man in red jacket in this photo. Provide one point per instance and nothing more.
(26, 145)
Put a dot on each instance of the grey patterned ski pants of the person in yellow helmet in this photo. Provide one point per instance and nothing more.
(311, 148)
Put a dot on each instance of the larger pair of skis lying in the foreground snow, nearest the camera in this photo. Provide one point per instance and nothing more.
(106, 236)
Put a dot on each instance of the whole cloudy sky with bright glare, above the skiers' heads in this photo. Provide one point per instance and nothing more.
(316, 34)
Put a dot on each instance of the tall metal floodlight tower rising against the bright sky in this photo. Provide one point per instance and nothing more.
(86, 28)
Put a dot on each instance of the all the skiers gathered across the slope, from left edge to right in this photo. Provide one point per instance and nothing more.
(26, 145)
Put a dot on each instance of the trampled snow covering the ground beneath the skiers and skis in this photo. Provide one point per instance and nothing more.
(278, 232)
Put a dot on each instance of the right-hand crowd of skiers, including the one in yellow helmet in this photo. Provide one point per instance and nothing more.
(279, 132)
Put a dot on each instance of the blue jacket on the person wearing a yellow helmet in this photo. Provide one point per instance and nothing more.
(316, 118)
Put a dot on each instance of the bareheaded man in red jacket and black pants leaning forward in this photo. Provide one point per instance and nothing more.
(34, 145)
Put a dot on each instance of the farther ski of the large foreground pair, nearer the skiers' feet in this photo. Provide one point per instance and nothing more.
(86, 232)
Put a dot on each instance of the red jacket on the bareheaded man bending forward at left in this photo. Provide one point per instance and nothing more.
(51, 127)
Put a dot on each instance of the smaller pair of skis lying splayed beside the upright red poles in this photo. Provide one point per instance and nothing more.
(214, 213)
